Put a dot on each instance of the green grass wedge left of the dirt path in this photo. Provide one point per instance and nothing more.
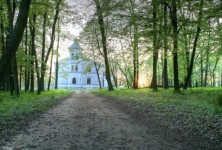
(14, 110)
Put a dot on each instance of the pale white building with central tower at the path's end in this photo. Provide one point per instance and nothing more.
(77, 72)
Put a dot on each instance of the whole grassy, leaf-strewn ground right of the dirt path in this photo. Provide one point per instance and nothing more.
(195, 111)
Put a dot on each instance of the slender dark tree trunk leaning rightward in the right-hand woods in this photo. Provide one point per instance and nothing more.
(194, 45)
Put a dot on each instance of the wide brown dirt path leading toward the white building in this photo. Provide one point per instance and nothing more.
(88, 122)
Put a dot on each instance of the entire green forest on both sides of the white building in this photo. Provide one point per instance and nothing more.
(157, 43)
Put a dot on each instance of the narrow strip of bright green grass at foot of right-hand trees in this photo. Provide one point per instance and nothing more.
(195, 98)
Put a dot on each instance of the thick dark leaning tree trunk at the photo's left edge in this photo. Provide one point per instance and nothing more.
(14, 38)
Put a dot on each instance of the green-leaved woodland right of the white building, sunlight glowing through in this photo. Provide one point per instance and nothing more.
(158, 43)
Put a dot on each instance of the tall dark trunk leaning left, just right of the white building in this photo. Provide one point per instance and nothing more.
(102, 30)
